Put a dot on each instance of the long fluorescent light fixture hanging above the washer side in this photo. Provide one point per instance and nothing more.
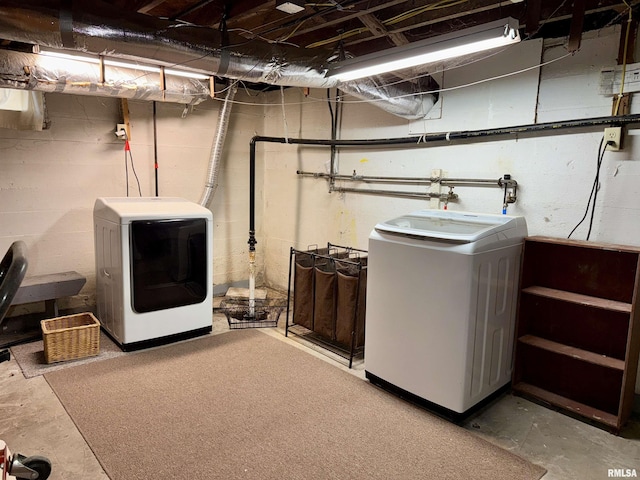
(472, 40)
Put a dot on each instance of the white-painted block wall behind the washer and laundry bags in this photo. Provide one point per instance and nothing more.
(555, 172)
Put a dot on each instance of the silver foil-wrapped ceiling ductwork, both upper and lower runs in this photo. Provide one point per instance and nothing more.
(97, 28)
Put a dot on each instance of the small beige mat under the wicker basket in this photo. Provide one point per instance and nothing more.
(30, 357)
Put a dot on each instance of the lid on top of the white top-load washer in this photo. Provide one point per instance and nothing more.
(461, 227)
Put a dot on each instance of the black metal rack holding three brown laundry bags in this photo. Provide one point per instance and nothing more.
(329, 298)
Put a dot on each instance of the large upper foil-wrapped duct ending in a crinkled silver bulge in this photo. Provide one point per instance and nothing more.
(100, 29)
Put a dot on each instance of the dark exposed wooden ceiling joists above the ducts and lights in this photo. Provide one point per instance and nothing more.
(368, 26)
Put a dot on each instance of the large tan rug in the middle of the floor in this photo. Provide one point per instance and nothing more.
(245, 405)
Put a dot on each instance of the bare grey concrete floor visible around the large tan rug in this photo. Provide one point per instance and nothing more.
(33, 422)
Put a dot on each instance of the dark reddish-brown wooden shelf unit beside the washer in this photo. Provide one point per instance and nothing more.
(578, 332)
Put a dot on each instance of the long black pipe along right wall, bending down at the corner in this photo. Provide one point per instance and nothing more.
(424, 141)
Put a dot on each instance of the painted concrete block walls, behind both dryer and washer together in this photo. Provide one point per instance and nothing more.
(49, 180)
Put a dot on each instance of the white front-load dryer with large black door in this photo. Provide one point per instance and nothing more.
(154, 269)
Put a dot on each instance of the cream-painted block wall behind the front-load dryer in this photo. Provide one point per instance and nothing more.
(49, 180)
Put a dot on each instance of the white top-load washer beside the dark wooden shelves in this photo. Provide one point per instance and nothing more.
(441, 299)
